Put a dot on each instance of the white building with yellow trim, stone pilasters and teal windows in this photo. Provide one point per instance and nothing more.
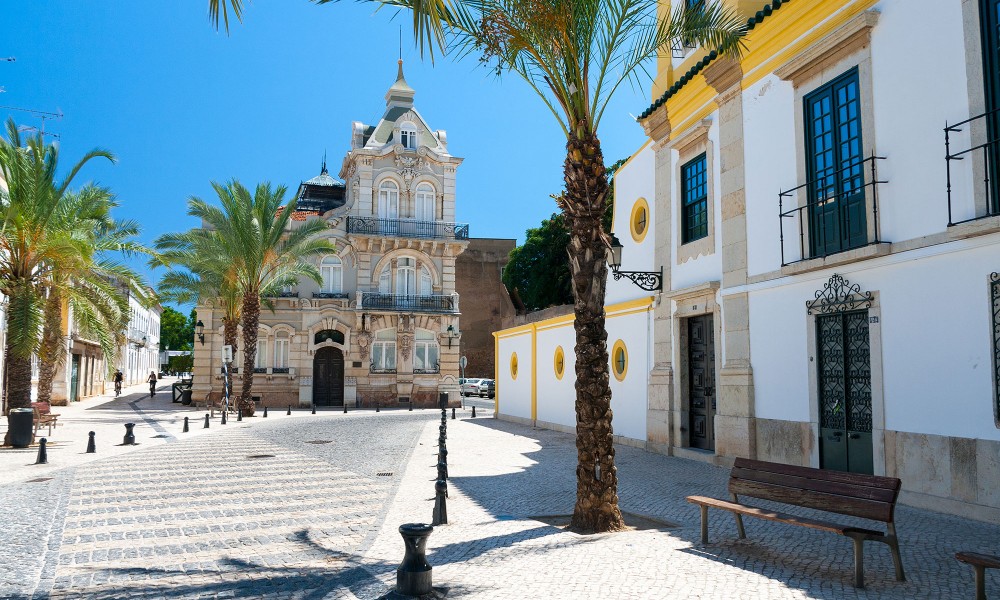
(830, 293)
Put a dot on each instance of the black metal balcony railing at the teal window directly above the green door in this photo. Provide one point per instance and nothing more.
(810, 221)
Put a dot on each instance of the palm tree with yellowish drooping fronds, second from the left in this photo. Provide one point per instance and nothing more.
(91, 283)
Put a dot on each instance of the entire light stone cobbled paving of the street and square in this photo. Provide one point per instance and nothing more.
(307, 506)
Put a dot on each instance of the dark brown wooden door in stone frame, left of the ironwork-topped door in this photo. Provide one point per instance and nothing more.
(701, 382)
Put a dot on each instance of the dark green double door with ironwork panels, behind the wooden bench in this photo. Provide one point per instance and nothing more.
(845, 392)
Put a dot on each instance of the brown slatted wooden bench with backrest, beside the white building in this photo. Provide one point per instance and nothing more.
(866, 496)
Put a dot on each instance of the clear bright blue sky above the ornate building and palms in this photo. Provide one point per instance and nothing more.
(182, 105)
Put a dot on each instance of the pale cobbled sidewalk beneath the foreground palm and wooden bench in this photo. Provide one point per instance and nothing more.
(503, 474)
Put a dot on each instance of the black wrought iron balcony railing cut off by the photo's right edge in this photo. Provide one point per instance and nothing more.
(985, 158)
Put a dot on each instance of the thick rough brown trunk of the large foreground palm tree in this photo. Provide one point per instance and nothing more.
(596, 508)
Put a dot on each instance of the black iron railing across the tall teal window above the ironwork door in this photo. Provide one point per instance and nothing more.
(806, 217)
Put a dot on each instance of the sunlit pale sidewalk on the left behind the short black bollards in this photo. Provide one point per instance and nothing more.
(157, 420)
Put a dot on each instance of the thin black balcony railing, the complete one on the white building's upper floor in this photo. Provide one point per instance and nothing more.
(837, 222)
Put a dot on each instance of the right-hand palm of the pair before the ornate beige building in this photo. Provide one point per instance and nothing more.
(251, 233)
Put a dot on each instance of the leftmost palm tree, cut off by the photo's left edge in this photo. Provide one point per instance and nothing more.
(32, 244)
